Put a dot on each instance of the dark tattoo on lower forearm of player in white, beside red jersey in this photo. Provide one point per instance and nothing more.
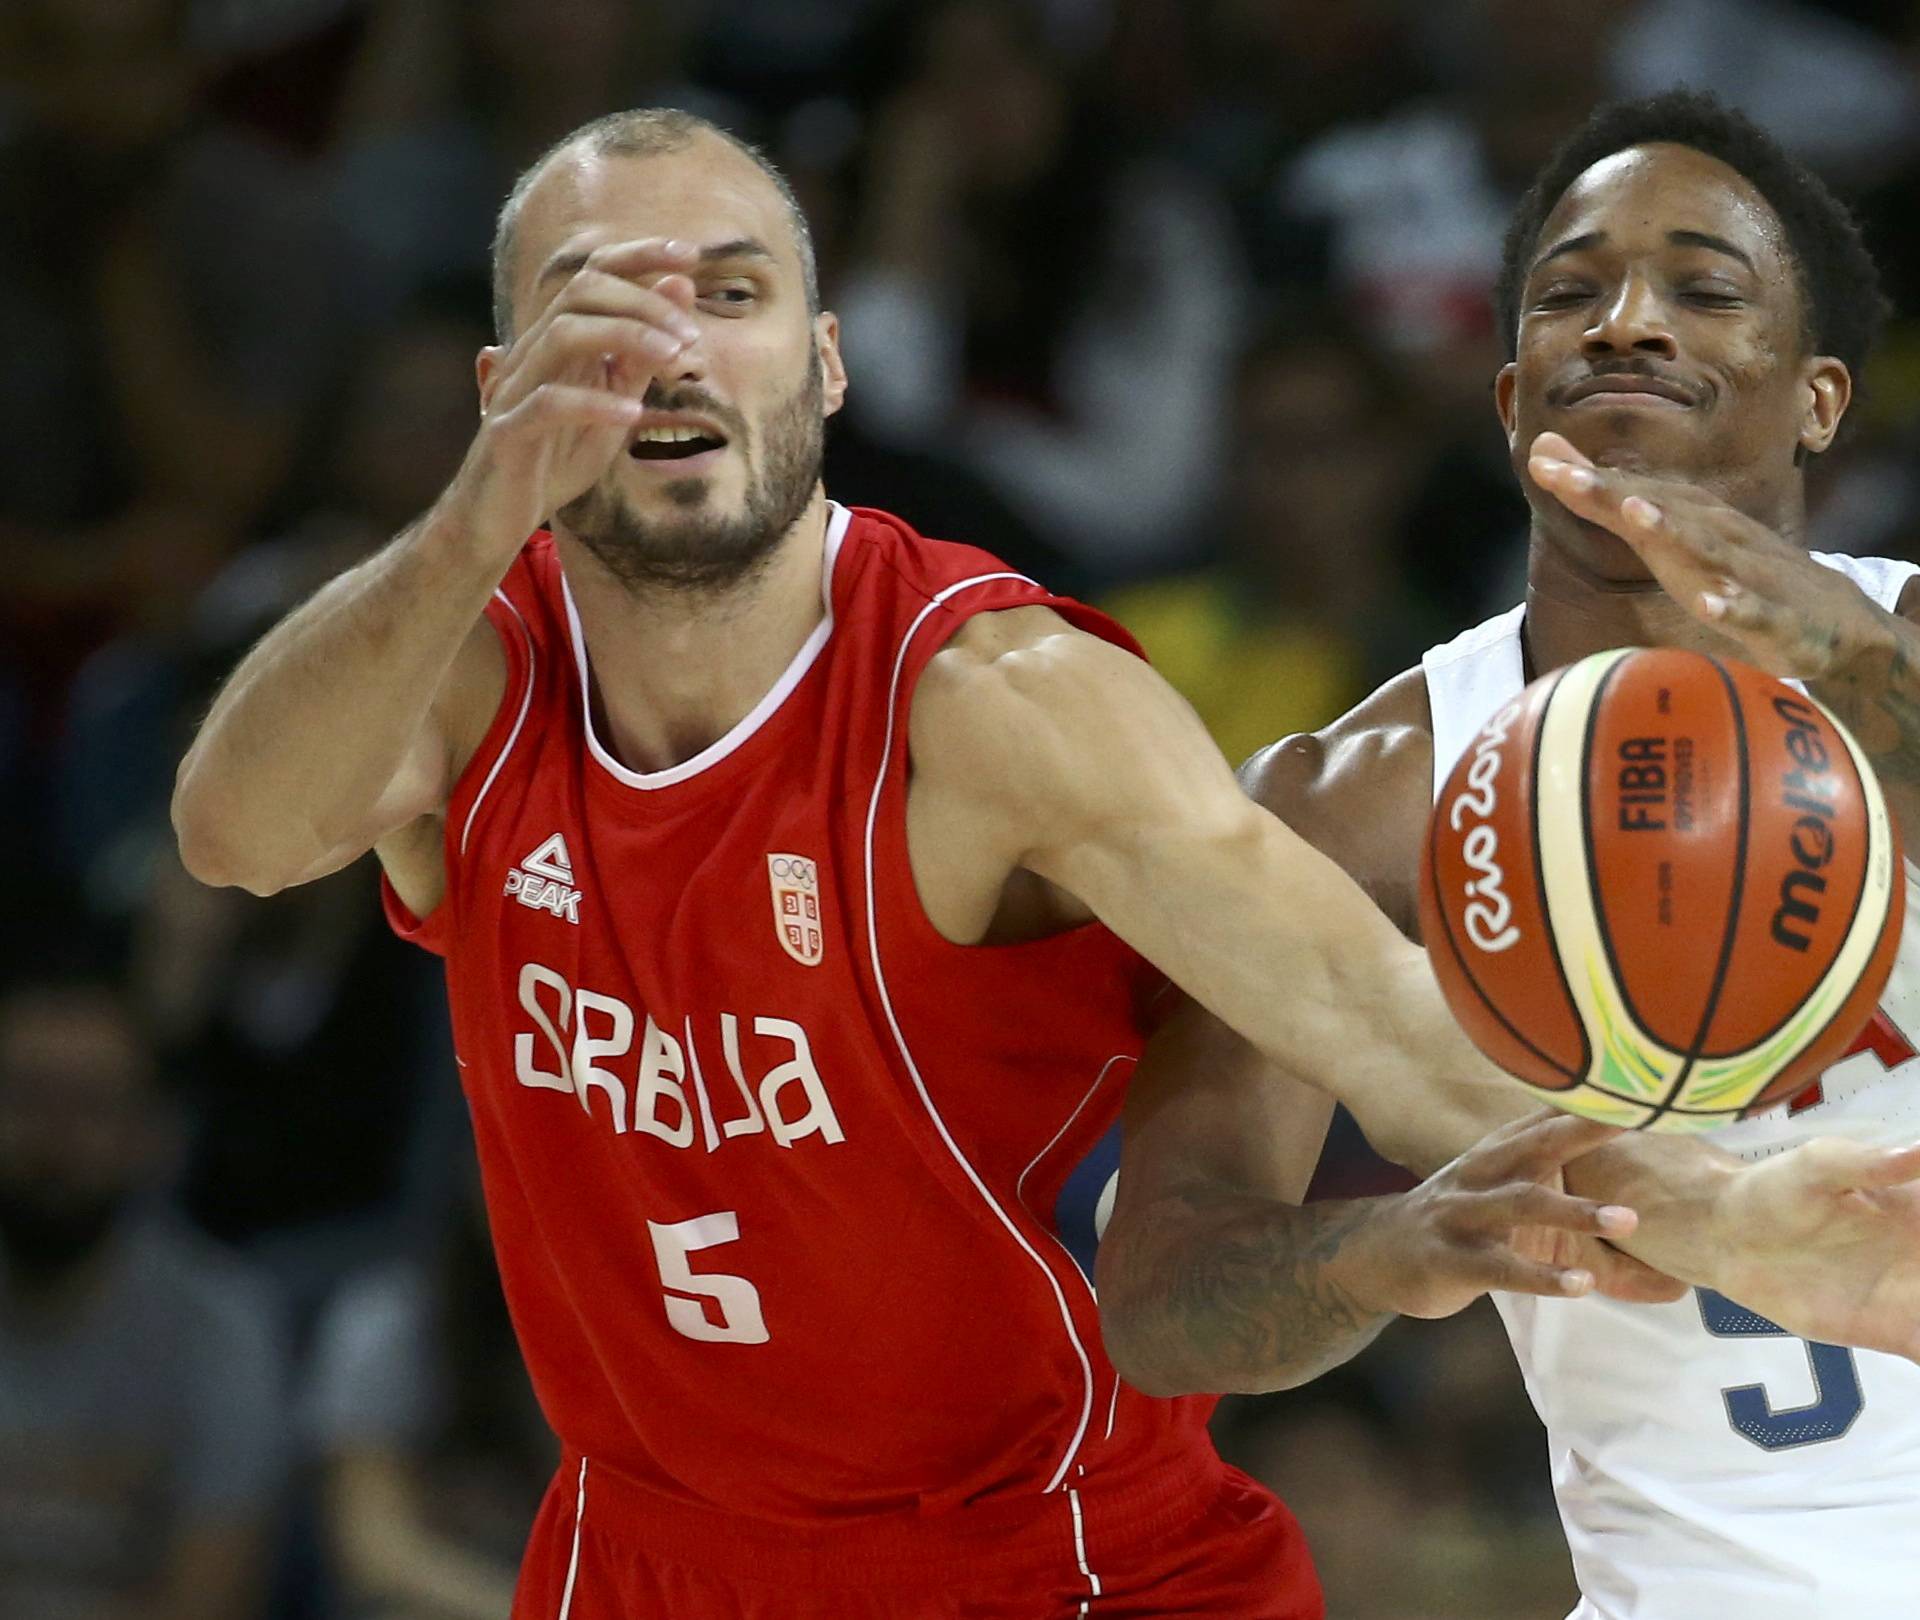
(1251, 1302)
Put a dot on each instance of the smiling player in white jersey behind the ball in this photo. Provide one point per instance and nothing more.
(1685, 308)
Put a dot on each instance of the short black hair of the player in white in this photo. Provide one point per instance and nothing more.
(1842, 300)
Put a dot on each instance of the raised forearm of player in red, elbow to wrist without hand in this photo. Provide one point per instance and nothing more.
(316, 725)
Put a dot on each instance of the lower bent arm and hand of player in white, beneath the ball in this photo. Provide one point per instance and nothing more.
(1214, 1277)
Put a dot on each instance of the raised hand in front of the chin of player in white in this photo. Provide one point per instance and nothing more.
(1788, 615)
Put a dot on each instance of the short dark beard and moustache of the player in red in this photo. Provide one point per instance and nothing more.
(706, 552)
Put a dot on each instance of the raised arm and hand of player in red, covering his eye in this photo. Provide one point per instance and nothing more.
(352, 719)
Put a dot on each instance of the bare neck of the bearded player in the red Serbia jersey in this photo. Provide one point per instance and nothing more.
(677, 671)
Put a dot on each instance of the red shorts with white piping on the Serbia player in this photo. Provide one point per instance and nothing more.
(1211, 1546)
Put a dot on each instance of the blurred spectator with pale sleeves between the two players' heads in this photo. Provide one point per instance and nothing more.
(1038, 298)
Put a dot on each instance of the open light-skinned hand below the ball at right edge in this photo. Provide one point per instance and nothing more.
(1825, 1241)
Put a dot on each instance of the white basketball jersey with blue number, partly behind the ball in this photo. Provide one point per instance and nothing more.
(1708, 1465)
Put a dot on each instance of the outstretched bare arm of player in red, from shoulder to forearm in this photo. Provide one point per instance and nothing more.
(1078, 763)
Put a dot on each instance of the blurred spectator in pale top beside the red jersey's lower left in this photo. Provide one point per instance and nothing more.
(433, 1450)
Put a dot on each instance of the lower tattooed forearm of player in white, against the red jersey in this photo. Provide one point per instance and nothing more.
(1234, 1293)
